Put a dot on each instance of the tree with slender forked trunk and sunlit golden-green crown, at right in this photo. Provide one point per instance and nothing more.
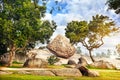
(90, 34)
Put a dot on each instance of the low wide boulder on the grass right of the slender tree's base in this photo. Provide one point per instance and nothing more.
(103, 64)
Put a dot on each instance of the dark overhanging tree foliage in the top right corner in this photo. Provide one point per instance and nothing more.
(114, 4)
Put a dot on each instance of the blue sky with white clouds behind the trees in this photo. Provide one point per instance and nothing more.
(81, 10)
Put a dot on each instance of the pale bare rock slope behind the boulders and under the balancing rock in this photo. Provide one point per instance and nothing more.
(44, 54)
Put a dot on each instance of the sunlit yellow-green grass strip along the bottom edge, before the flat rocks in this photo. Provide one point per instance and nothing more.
(104, 75)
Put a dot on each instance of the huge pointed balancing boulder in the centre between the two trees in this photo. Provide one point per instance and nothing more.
(61, 47)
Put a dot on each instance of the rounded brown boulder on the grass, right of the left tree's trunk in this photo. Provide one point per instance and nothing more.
(35, 63)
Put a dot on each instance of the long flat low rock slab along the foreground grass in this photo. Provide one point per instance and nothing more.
(67, 72)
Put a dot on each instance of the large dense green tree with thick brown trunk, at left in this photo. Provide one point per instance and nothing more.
(21, 25)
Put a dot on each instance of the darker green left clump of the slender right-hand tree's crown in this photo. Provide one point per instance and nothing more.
(76, 31)
